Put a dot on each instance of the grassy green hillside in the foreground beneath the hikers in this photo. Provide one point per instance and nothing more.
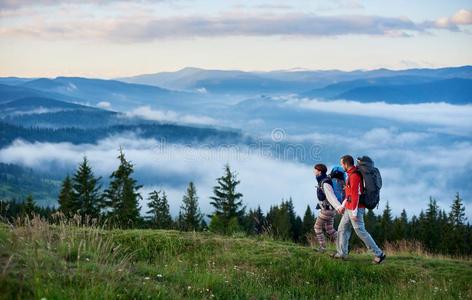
(71, 262)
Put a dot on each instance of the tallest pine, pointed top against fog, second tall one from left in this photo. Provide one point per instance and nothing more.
(122, 196)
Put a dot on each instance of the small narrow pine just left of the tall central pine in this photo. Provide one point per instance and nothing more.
(190, 217)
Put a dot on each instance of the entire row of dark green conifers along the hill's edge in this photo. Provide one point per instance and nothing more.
(118, 206)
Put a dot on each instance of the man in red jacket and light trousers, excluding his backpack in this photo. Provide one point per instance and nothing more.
(353, 215)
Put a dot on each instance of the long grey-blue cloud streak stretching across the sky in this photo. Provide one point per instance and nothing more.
(128, 28)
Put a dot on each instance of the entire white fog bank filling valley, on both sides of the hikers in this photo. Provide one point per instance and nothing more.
(411, 173)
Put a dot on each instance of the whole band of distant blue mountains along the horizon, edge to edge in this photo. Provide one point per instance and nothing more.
(189, 88)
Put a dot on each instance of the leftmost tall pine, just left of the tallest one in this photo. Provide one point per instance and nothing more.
(86, 191)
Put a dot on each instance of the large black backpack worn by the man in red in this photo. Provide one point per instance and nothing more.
(372, 182)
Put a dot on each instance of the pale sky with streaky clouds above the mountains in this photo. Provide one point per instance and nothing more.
(114, 38)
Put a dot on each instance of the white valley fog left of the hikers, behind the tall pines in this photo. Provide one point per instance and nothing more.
(177, 165)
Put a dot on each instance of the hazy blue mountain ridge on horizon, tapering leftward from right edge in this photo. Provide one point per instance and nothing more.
(396, 86)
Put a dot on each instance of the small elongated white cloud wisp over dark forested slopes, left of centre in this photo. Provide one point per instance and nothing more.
(146, 112)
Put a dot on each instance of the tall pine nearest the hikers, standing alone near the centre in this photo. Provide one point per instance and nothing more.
(226, 200)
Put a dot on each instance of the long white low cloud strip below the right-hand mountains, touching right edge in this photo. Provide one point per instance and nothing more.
(456, 117)
